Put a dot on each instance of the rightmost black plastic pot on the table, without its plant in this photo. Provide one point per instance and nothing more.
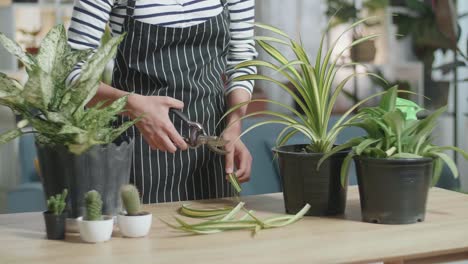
(393, 191)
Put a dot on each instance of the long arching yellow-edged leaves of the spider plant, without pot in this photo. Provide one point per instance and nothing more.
(315, 85)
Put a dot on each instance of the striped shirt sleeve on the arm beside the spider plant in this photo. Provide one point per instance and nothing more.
(242, 45)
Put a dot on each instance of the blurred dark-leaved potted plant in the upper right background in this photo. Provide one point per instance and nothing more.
(432, 26)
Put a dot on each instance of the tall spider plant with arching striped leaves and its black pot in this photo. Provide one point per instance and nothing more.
(316, 96)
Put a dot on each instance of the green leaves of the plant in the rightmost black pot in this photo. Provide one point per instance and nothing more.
(394, 132)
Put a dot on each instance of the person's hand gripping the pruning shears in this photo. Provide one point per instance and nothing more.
(155, 125)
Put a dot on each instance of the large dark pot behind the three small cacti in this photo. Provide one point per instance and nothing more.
(103, 168)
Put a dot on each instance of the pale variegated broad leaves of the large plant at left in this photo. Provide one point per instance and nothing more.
(57, 112)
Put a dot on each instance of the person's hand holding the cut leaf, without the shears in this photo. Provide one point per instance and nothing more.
(238, 155)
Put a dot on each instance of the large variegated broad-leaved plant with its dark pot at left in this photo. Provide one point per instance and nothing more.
(74, 143)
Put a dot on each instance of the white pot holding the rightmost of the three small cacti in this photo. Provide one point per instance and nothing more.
(134, 225)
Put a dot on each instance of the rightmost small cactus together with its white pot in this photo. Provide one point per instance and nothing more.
(134, 222)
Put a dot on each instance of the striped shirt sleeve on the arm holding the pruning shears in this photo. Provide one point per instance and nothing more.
(88, 23)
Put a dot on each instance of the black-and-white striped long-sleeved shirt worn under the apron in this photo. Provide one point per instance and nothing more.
(90, 18)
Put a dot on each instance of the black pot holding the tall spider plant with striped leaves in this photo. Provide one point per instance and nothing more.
(303, 184)
